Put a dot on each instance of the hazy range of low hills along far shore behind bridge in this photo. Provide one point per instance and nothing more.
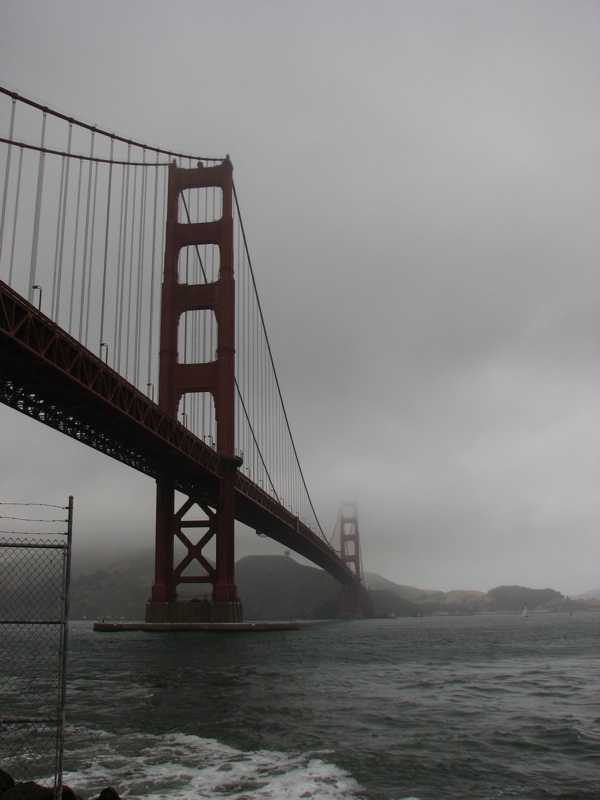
(278, 587)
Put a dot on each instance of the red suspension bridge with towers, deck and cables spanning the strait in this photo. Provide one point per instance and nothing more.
(130, 320)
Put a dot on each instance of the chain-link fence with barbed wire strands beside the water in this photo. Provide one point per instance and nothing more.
(35, 558)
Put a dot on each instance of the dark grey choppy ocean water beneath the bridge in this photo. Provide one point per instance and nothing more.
(443, 707)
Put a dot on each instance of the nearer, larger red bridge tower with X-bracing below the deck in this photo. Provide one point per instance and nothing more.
(216, 377)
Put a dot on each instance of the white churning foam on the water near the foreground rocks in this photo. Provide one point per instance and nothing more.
(186, 767)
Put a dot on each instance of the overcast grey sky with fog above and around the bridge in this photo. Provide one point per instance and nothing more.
(418, 181)
